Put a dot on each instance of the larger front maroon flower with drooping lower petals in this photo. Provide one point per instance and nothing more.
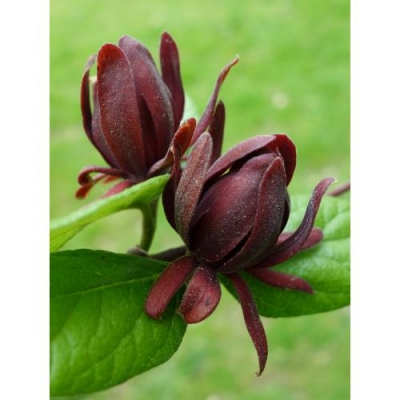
(231, 212)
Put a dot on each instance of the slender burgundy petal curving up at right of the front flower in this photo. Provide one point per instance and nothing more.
(293, 244)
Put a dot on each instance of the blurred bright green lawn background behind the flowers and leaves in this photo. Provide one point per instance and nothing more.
(293, 78)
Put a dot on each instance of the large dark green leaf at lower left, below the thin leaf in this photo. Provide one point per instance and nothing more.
(100, 334)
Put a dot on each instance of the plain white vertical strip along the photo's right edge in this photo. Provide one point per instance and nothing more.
(375, 71)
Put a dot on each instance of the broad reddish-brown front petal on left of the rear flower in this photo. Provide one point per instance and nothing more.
(119, 113)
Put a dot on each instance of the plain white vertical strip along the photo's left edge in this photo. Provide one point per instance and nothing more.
(24, 76)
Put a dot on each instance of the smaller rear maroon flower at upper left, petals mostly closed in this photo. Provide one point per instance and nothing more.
(136, 112)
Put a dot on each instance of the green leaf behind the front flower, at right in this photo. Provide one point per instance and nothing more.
(325, 266)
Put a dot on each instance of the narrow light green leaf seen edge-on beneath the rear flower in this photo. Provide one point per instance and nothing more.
(64, 229)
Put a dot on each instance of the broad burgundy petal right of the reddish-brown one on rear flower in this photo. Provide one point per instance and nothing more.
(155, 102)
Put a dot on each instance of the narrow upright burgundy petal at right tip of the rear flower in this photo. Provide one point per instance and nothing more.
(170, 70)
